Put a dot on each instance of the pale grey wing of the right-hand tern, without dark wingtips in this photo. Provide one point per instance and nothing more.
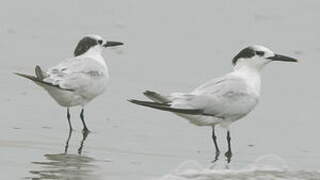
(222, 97)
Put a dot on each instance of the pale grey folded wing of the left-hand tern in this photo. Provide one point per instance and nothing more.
(74, 73)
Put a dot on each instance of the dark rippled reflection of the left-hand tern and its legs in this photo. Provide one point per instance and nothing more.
(65, 165)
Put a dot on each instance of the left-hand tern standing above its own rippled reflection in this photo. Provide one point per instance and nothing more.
(77, 80)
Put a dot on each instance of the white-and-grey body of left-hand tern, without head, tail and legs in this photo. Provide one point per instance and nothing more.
(86, 75)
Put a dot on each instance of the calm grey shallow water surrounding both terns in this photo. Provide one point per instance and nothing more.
(169, 46)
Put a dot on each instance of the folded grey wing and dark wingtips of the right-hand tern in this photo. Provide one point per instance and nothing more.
(222, 97)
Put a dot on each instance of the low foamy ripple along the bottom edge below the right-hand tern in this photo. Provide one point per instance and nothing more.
(192, 170)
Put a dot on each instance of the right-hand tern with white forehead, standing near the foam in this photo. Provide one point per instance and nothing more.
(220, 101)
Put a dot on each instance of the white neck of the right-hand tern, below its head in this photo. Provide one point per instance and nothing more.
(251, 75)
